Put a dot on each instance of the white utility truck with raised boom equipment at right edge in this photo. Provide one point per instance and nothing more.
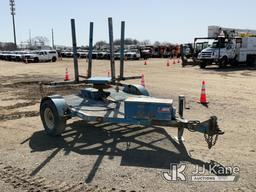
(229, 46)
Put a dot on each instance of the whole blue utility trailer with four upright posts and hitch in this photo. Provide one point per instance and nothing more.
(108, 100)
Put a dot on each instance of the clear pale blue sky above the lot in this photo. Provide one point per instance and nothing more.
(163, 20)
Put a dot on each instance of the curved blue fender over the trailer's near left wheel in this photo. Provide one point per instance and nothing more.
(60, 104)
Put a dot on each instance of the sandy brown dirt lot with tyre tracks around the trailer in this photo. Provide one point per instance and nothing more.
(107, 157)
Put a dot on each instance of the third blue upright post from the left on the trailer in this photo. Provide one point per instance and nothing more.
(111, 49)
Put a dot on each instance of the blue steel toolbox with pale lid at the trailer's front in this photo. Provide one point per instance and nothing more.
(147, 108)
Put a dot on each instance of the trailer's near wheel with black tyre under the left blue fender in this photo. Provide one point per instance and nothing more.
(54, 125)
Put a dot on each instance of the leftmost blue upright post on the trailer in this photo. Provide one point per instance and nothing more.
(73, 30)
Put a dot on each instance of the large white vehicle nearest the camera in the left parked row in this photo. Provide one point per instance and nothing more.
(42, 55)
